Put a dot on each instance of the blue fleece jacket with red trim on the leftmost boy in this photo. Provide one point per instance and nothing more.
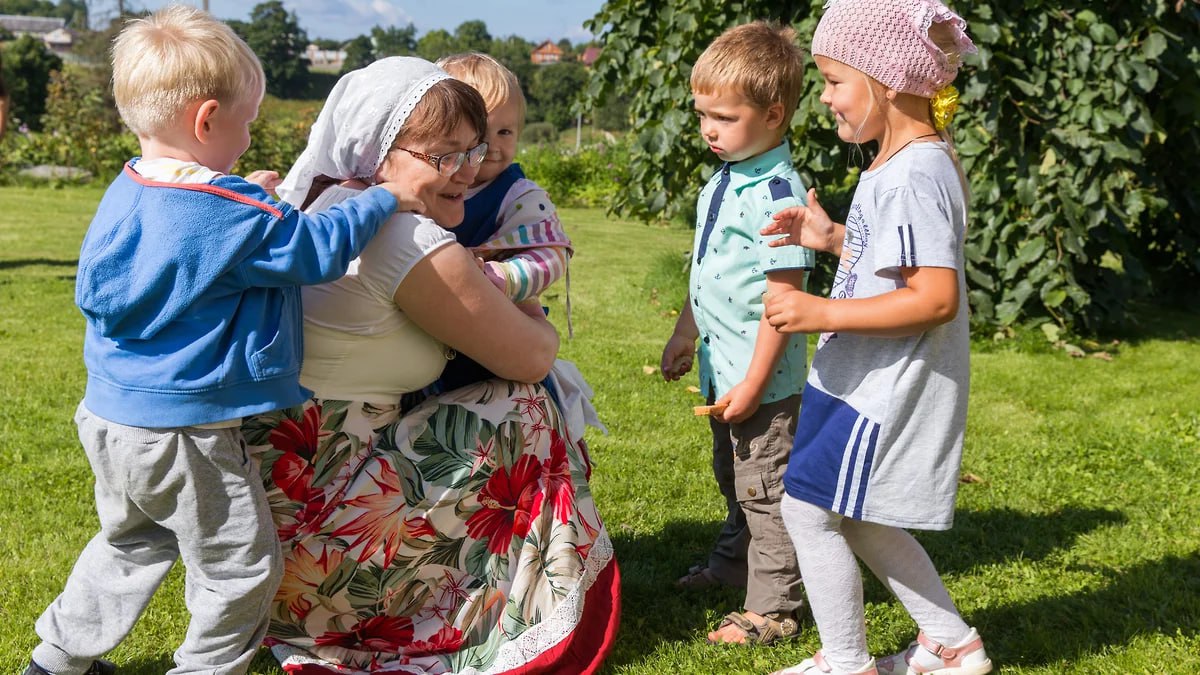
(191, 294)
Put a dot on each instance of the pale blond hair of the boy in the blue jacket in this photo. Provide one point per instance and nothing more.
(175, 57)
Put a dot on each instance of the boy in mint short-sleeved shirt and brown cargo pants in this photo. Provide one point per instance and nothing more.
(746, 88)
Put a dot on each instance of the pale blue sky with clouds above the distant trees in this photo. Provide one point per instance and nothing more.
(341, 20)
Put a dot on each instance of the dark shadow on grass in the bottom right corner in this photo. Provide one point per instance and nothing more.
(1157, 598)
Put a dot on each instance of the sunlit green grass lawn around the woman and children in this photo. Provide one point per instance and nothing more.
(1077, 547)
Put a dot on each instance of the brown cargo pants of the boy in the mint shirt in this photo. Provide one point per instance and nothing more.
(753, 549)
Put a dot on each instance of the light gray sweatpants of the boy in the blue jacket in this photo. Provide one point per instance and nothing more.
(164, 494)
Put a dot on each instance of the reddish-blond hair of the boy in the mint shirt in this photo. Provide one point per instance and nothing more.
(759, 61)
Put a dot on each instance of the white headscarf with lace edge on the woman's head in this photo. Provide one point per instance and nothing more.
(361, 122)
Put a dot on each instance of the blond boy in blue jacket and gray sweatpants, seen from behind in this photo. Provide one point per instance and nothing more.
(189, 280)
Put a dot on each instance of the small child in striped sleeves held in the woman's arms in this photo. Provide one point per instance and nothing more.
(511, 223)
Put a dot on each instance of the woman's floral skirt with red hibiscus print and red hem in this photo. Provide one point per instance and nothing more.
(459, 537)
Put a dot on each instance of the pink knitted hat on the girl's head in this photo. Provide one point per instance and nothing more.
(890, 41)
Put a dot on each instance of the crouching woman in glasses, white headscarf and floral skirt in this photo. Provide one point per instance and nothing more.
(460, 536)
